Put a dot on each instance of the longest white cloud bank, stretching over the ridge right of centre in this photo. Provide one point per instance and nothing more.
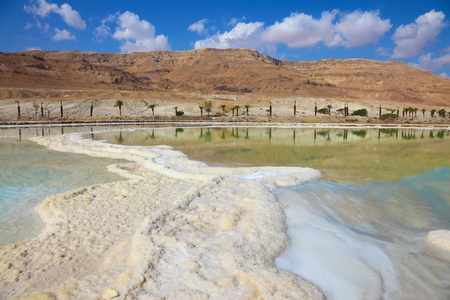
(301, 30)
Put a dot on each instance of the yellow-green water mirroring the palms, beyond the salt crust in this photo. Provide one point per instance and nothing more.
(347, 155)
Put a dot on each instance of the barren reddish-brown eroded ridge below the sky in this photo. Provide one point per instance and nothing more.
(231, 71)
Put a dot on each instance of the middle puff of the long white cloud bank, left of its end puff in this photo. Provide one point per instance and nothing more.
(301, 30)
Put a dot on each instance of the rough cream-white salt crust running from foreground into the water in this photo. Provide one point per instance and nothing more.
(176, 228)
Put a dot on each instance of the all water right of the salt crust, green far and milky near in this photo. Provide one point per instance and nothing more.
(360, 232)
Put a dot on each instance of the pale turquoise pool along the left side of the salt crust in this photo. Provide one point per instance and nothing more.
(29, 173)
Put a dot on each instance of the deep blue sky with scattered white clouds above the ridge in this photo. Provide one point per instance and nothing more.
(416, 32)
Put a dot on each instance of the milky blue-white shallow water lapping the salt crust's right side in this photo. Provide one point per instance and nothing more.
(368, 241)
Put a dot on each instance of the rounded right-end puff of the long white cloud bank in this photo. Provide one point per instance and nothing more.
(361, 28)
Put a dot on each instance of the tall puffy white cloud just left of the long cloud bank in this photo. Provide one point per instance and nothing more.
(138, 35)
